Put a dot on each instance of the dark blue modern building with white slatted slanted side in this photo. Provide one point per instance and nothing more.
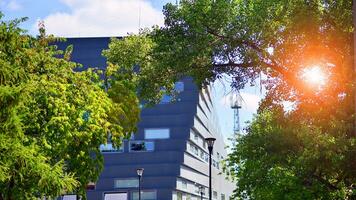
(169, 144)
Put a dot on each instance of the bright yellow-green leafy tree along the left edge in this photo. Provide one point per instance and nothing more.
(53, 119)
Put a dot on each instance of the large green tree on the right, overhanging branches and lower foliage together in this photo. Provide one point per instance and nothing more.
(273, 40)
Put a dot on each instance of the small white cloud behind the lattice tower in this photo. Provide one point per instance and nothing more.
(248, 101)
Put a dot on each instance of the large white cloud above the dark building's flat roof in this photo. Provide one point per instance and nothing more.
(102, 18)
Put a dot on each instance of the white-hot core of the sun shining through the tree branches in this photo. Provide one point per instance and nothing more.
(314, 76)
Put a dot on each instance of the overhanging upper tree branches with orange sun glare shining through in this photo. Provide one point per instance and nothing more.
(246, 40)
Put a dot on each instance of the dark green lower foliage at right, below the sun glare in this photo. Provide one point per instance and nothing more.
(283, 157)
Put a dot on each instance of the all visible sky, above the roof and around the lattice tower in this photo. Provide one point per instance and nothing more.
(106, 18)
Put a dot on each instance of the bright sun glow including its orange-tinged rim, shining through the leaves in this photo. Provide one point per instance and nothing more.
(314, 76)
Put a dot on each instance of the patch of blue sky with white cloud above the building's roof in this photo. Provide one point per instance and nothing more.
(86, 17)
